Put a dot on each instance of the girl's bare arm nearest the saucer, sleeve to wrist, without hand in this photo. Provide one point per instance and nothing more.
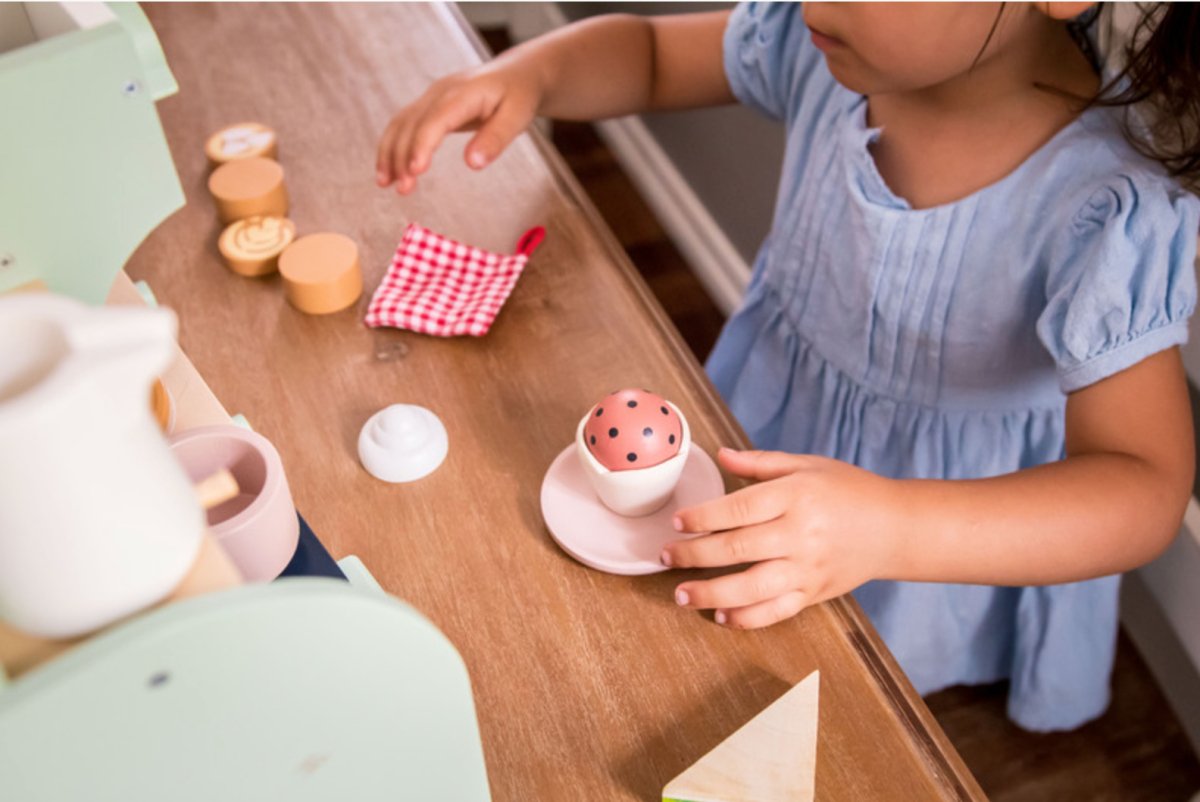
(1114, 504)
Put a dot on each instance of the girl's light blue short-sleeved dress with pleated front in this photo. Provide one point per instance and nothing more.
(941, 344)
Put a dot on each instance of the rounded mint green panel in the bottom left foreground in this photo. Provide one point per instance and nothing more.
(301, 690)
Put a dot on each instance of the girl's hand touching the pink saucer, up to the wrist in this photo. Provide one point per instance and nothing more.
(813, 528)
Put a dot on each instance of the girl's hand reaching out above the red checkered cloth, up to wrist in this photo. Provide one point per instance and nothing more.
(500, 100)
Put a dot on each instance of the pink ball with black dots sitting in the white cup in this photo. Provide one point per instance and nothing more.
(633, 429)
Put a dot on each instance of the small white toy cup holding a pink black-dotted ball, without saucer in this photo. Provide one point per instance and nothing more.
(633, 446)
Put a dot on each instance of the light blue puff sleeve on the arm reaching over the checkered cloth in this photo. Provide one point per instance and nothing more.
(770, 58)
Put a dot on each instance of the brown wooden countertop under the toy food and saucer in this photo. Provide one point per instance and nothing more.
(587, 686)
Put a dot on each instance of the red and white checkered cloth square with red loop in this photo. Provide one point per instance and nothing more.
(446, 289)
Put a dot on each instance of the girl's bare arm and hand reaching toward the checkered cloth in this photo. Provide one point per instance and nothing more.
(602, 68)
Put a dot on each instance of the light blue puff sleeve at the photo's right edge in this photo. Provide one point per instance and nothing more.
(1121, 280)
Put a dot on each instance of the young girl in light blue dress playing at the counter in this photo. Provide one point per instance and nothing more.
(961, 340)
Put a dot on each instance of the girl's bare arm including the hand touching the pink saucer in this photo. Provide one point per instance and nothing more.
(815, 529)
